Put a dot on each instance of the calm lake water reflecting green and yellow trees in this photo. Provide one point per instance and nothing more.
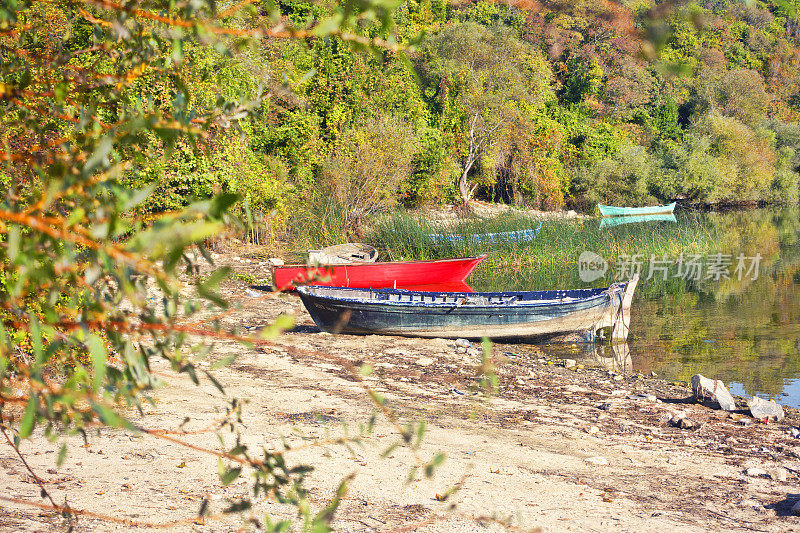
(745, 331)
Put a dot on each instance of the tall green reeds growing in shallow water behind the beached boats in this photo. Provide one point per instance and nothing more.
(548, 260)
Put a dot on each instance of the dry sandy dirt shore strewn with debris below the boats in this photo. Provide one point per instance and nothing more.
(554, 448)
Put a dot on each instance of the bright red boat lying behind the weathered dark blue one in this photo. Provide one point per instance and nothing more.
(434, 275)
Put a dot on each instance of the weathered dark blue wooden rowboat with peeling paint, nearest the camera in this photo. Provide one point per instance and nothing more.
(452, 315)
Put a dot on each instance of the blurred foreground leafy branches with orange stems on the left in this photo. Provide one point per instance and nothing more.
(111, 111)
